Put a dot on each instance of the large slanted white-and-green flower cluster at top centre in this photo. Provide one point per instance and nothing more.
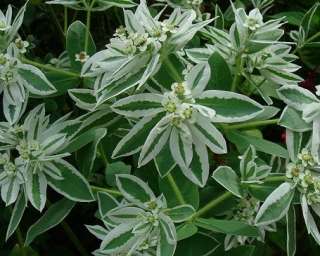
(134, 53)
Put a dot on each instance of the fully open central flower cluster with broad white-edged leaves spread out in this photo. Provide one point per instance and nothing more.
(183, 117)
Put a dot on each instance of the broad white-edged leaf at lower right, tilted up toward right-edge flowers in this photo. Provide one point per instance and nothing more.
(276, 205)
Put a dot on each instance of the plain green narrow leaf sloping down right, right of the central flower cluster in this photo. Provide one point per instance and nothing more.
(242, 141)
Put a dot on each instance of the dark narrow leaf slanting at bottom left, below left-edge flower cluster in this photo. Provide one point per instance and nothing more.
(55, 214)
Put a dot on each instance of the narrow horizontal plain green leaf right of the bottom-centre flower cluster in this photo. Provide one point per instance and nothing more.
(231, 227)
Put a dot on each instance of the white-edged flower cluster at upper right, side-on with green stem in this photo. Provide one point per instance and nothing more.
(252, 45)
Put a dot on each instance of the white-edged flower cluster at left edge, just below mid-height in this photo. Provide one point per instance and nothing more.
(34, 157)
